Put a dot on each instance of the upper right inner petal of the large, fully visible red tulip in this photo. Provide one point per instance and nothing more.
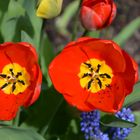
(105, 50)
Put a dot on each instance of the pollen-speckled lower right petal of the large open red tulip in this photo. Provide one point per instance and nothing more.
(111, 99)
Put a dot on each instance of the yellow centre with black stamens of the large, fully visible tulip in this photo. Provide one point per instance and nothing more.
(95, 75)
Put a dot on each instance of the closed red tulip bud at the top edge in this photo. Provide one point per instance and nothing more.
(97, 14)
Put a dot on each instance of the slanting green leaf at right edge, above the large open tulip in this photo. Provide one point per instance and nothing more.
(127, 32)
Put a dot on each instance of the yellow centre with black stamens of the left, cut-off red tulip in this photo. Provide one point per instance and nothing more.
(14, 79)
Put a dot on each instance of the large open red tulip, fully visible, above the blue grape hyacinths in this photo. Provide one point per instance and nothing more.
(94, 74)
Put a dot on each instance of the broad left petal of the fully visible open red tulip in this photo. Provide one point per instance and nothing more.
(64, 70)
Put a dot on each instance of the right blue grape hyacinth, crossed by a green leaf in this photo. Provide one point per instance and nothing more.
(122, 133)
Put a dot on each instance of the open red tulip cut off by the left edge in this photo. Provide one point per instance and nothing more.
(20, 78)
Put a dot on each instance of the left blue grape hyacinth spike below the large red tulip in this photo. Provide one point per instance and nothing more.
(91, 127)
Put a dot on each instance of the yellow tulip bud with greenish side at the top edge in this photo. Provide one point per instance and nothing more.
(49, 8)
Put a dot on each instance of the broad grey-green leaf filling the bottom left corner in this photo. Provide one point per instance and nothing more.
(9, 133)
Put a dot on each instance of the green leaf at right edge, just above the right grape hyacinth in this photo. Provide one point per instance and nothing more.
(134, 96)
